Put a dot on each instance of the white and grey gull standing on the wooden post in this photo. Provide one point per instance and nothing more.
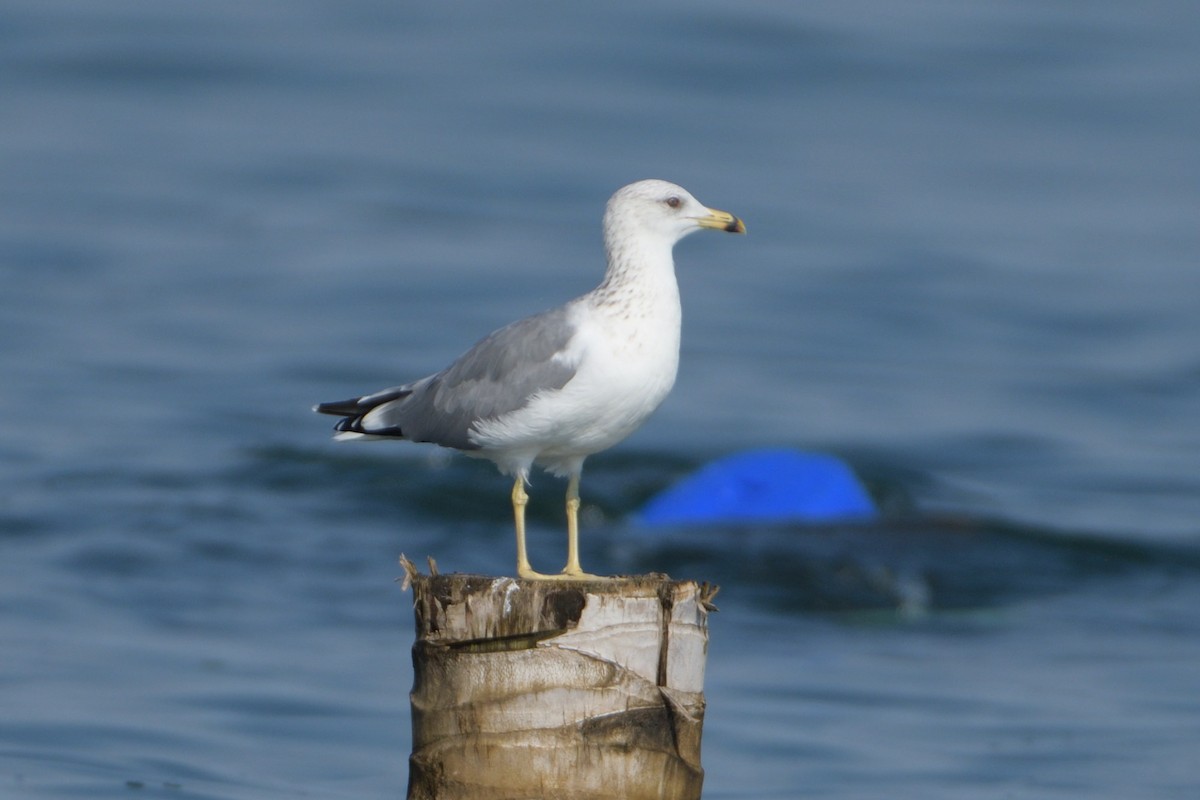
(555, 388)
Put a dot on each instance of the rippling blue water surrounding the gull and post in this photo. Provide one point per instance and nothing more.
(971, 272)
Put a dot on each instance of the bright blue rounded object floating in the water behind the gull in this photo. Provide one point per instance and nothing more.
(764, 486)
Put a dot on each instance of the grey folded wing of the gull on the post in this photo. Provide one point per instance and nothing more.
(497, 376)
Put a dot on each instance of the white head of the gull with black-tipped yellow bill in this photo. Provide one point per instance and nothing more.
(664, 212)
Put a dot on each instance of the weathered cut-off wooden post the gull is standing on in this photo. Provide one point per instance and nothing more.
(573, 691)
